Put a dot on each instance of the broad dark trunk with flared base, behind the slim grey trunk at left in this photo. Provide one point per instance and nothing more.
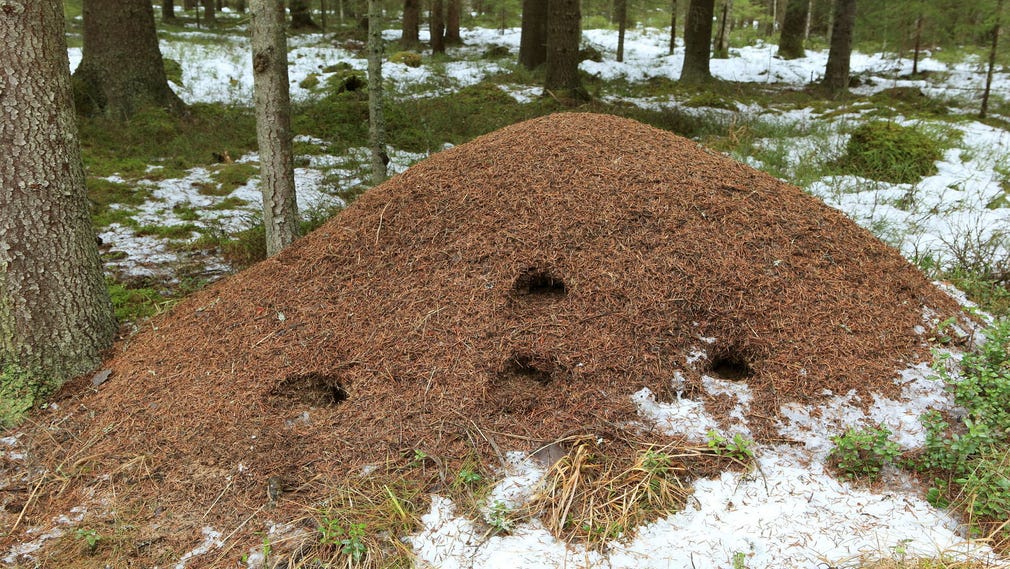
(122, 70)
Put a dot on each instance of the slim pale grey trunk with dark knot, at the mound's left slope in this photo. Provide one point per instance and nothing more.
(273, 119)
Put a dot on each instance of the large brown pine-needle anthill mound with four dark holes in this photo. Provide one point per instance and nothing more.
(498, 296)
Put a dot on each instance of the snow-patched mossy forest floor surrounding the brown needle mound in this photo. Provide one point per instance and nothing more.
(178, 219)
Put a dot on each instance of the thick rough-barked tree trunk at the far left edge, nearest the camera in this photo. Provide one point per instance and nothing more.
(55, 313)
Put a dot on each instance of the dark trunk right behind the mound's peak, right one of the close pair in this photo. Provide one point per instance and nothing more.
(564, 37)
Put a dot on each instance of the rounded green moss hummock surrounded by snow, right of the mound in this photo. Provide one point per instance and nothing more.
(891, 153)
